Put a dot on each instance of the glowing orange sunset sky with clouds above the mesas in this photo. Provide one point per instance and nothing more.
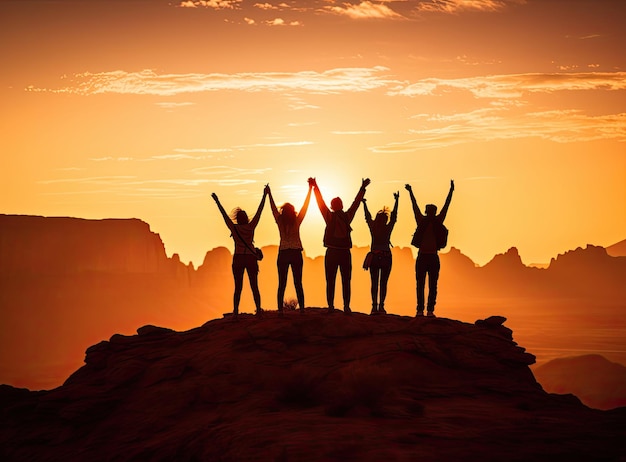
(143, 108)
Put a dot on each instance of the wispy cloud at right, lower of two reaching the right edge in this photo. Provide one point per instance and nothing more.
(496, 124)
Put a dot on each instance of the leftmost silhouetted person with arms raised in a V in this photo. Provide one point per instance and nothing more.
(244, 258)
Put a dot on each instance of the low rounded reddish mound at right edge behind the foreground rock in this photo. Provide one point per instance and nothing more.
(598, 382)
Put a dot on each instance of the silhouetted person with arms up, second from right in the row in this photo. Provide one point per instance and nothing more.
(380, 264)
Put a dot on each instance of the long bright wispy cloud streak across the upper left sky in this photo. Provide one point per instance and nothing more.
(148, 82)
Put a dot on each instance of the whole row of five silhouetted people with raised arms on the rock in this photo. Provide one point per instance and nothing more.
(430, 237)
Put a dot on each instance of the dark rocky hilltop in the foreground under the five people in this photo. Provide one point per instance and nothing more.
(308, 387)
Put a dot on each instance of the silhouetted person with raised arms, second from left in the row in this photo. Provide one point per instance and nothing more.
(290, 248)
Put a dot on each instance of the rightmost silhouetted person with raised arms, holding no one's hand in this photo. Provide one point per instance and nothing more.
(428, 240)
